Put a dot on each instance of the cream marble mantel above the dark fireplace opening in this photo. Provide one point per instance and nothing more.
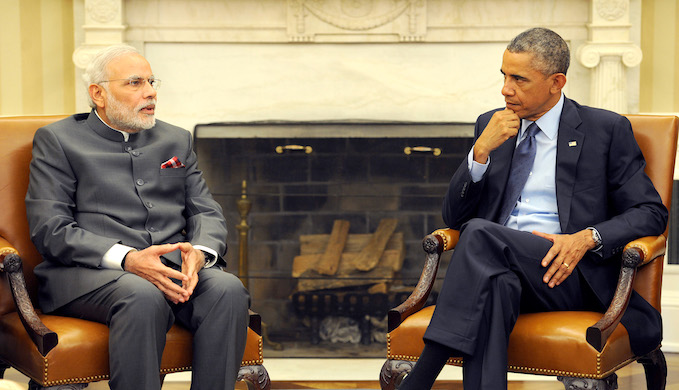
(409, 60)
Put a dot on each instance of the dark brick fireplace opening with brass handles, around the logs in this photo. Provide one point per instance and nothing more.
(303, 176)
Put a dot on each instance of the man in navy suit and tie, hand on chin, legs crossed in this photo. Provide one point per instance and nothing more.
(552, 241)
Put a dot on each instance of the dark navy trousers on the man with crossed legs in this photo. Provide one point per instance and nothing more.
(494, 274)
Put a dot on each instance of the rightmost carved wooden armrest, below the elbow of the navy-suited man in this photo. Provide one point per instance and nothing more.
(636, 254)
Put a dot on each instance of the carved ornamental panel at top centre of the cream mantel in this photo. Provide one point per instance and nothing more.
(309, 19)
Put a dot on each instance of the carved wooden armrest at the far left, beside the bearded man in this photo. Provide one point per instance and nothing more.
(43, 338)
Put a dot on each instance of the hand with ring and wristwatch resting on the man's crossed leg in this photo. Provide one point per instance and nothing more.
(566, 252)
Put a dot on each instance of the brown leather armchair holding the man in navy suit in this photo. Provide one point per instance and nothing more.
(584, 349)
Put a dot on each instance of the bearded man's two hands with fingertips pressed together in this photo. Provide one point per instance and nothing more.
(147, 264)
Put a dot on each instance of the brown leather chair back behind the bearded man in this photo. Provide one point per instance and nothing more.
(16, 138)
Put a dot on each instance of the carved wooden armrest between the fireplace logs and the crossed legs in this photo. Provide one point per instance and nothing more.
(434, 244)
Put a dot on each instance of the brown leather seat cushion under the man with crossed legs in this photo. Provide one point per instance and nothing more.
(550, 343)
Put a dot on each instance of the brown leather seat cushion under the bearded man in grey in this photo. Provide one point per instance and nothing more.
(82, 353)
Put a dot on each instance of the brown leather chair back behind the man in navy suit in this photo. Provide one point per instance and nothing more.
(657, 138)
